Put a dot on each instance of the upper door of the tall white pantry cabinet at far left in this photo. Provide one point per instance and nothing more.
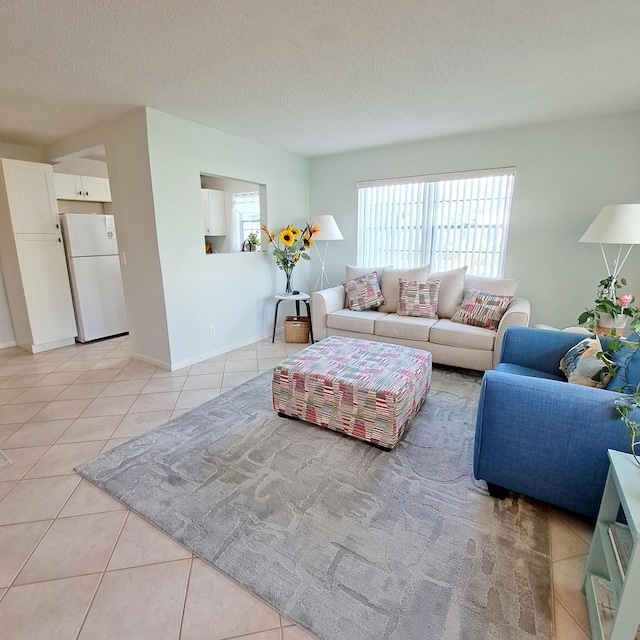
(31, 196)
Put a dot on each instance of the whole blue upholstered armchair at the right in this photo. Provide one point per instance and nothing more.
(540, 436)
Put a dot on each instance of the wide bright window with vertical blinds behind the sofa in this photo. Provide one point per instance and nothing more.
(447, 221)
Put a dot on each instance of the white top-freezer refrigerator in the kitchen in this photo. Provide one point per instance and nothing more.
(94, 271)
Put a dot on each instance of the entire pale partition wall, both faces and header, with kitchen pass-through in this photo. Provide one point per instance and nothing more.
(174, 292)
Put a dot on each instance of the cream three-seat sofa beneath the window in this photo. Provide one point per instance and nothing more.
(450, 343)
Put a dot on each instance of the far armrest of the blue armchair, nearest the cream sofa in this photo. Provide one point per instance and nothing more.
(539, 349)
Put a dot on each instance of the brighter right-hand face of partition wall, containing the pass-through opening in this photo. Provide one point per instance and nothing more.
(234, 291)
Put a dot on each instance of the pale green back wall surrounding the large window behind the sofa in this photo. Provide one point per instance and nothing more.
(566, 173)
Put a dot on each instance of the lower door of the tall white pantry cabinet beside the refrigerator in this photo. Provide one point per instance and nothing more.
(45, 281)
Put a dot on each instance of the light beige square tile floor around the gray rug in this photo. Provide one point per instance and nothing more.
(75, 563)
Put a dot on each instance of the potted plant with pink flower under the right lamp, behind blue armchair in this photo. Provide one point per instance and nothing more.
(611, 310)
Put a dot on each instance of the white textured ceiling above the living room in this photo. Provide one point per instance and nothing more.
(316, 76)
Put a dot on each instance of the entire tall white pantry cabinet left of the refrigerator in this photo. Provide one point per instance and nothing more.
(33, 258)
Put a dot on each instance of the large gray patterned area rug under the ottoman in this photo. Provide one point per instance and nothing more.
(348, 541)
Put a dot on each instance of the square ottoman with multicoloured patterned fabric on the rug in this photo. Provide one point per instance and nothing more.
(368, 390)
